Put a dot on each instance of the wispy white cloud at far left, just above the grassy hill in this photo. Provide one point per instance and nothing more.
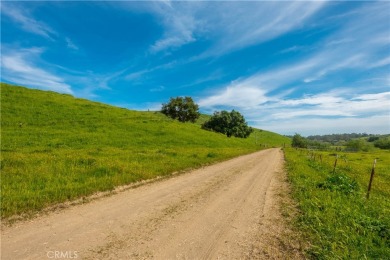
(19, 67)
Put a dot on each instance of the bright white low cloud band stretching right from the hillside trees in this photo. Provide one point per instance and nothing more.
(325, 104)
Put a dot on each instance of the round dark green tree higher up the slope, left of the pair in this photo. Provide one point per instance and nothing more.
(182, 109)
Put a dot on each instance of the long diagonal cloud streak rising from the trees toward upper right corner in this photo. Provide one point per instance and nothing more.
(324, 61)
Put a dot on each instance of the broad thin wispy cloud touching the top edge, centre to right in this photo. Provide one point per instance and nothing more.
(246, 25)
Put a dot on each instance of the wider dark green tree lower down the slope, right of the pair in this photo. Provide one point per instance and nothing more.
(228, 123)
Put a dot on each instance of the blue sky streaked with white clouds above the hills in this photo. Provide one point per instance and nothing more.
(289, 67)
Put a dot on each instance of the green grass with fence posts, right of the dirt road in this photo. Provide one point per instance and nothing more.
(335, 215)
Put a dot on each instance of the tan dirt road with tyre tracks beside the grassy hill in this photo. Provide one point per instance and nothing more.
(226, 211)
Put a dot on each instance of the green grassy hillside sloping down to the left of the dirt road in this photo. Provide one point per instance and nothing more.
(56, 148)
